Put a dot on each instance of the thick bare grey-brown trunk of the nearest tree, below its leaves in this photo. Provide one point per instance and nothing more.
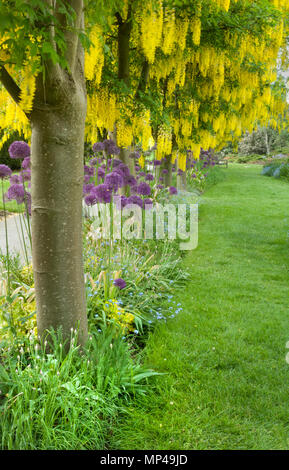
(57, 179)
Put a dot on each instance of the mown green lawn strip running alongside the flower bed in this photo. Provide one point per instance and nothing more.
(227, 382)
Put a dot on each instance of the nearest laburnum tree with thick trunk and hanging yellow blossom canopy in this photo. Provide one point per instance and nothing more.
(182, 74)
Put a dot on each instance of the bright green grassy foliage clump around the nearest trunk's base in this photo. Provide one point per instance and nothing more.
(65, 401)
